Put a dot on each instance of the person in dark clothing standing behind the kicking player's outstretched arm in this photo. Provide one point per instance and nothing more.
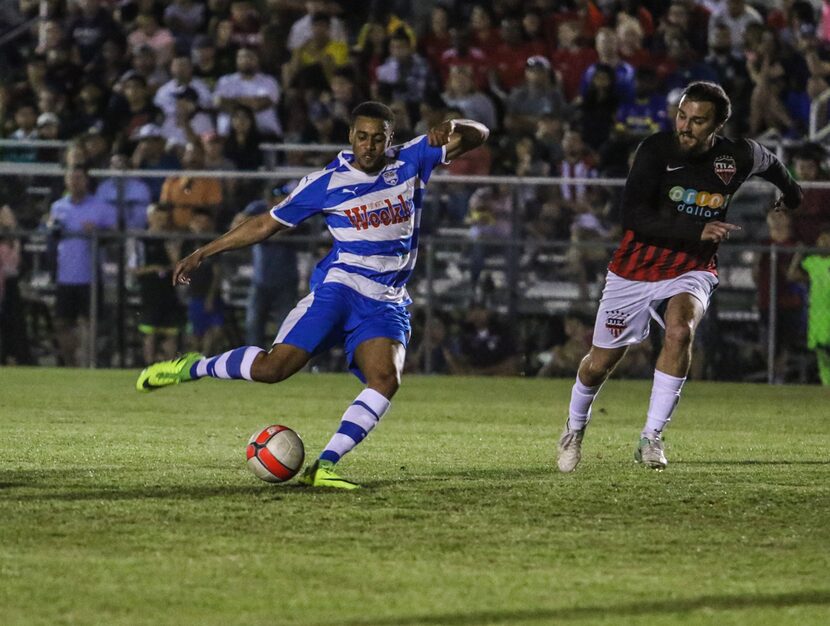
(274, 282)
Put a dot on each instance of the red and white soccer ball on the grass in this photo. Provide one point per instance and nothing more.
(275, 453)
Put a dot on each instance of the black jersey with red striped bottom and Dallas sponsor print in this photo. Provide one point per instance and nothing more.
(669, 197)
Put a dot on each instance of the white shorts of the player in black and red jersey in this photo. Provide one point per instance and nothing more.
(627, 306)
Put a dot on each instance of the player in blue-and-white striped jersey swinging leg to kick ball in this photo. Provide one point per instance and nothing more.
(371, 197)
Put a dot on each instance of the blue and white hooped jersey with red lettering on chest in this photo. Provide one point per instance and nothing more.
(373, 218)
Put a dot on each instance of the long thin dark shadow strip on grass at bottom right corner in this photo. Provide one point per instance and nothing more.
(640, 609)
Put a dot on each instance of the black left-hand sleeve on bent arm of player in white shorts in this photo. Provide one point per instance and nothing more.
(643, 210)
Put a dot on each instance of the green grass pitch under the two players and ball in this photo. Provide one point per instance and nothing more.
(123, 508)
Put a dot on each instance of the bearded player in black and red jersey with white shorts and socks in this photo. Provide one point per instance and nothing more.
(674, 216)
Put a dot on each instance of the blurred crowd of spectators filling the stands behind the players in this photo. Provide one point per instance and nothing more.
(569, 88)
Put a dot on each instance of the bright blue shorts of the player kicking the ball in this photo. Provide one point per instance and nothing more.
(334, 314)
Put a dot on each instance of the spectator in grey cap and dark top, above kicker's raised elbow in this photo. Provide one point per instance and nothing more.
(536, 96)
